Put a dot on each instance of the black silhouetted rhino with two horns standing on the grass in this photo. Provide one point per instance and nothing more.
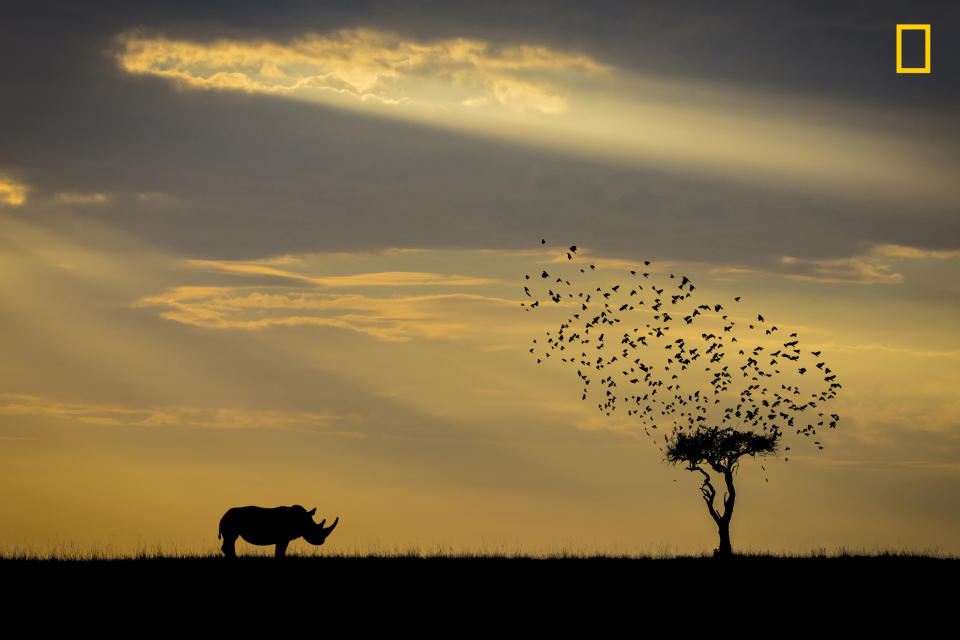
(278, 526)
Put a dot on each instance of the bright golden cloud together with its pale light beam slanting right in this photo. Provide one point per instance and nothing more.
(570, 102)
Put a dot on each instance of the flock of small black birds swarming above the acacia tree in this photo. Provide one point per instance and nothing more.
(648, 368)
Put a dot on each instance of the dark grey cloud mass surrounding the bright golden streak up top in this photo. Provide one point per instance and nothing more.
(255, 176)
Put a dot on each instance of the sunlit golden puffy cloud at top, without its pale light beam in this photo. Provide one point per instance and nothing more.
(366, 66)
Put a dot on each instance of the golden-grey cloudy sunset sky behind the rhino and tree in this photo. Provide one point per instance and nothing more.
(275, 254)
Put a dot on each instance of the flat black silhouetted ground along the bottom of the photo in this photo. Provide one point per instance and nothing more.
(452, 595)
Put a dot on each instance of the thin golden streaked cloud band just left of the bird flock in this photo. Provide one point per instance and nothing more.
(288, 291)
